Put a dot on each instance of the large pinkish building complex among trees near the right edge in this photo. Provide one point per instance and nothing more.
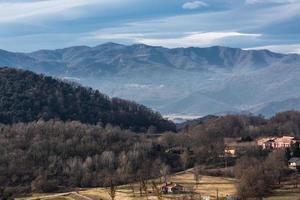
(276, 142)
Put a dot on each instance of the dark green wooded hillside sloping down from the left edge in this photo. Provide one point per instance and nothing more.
(26, 97)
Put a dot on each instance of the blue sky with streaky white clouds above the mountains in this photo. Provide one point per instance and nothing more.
(29, 25)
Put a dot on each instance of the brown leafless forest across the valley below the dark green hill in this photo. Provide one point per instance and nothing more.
(47, 156)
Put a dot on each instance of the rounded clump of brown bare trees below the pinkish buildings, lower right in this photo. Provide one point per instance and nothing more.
(258, 177)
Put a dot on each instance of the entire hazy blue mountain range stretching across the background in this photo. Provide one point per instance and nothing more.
(183, 81)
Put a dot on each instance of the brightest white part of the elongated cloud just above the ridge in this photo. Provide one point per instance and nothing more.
(196, 39)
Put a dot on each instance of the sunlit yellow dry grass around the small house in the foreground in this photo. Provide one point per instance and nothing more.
(208, 186)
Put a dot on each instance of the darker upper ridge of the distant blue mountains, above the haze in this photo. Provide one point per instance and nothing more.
(111, 56)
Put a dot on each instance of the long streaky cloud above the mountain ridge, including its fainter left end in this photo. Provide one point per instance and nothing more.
(168, 39)
